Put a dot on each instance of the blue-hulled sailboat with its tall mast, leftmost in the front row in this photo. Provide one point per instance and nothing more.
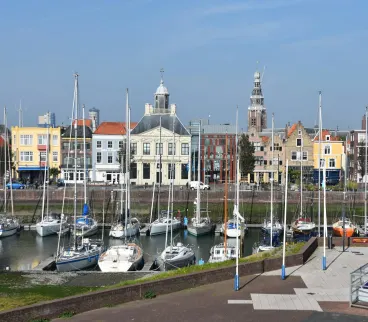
(84, 253)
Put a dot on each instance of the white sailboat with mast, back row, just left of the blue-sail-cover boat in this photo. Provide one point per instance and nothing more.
(49, 224)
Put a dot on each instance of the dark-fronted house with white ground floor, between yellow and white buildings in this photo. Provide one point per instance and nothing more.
(70, 147)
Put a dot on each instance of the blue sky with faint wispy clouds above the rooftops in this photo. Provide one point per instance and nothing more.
(209, 50)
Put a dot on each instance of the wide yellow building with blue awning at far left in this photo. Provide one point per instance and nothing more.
(29, 146)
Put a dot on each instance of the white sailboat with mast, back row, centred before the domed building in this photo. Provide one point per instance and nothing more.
(158, 227)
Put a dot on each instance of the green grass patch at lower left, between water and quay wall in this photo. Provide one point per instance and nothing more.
(16, 290)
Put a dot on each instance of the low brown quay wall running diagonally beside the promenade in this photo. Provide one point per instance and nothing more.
(99, 299)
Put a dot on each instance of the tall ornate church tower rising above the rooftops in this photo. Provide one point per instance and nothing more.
(257, 115)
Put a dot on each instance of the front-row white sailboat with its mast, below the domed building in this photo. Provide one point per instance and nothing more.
(179, 255)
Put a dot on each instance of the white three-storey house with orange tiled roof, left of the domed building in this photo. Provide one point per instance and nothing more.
(108, 144)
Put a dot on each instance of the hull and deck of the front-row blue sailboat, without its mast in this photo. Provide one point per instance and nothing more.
(79, 257)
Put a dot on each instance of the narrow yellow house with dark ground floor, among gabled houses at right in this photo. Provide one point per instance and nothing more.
(331, 152)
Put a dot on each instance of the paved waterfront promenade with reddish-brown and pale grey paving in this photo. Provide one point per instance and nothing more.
(308, 294)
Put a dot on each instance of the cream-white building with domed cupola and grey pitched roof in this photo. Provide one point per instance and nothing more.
(160, 138)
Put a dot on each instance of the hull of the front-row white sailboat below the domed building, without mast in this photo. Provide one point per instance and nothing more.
(174, 257)
